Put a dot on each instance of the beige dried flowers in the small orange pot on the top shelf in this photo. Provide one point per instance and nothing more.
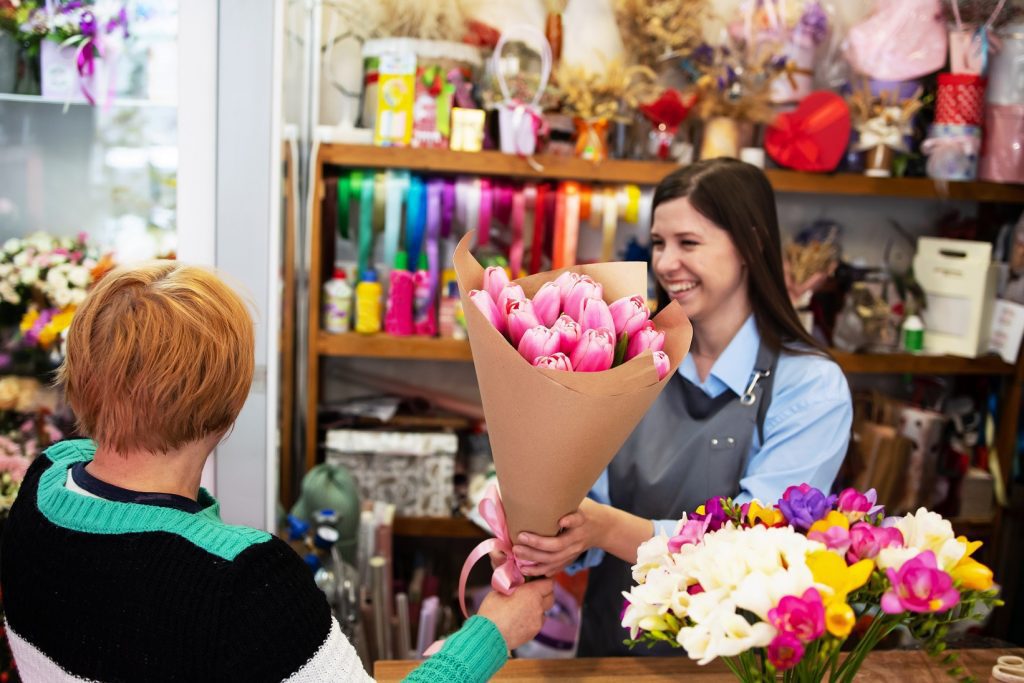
(588, 95)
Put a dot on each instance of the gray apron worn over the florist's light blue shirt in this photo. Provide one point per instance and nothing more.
(688, 448)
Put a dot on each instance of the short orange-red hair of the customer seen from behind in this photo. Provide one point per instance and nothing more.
(158, 356)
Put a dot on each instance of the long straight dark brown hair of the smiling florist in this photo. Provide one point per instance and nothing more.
(738, 198)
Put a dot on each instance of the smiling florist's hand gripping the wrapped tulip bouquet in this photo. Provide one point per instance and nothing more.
(550, 556)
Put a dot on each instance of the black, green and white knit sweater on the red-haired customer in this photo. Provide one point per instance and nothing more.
(109, 591)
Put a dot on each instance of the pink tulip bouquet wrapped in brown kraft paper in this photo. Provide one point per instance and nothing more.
(553, 432)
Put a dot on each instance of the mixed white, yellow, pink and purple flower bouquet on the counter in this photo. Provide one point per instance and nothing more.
(777, 592)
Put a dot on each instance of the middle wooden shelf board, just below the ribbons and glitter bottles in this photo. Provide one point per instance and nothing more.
(433, 349)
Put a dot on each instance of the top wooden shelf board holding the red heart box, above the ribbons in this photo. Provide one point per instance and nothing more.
(648, 174)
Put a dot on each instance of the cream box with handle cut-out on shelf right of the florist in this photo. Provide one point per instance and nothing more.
(959, 279)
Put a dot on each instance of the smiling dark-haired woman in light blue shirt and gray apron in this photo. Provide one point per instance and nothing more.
(757, 406)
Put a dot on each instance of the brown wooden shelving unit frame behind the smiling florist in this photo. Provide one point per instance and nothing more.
(332, 159)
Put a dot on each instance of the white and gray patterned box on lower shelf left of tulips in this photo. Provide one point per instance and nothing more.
(413, 471)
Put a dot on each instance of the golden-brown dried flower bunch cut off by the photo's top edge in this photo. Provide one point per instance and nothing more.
(655, 31)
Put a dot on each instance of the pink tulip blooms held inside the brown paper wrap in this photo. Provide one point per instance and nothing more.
(569, 326)
